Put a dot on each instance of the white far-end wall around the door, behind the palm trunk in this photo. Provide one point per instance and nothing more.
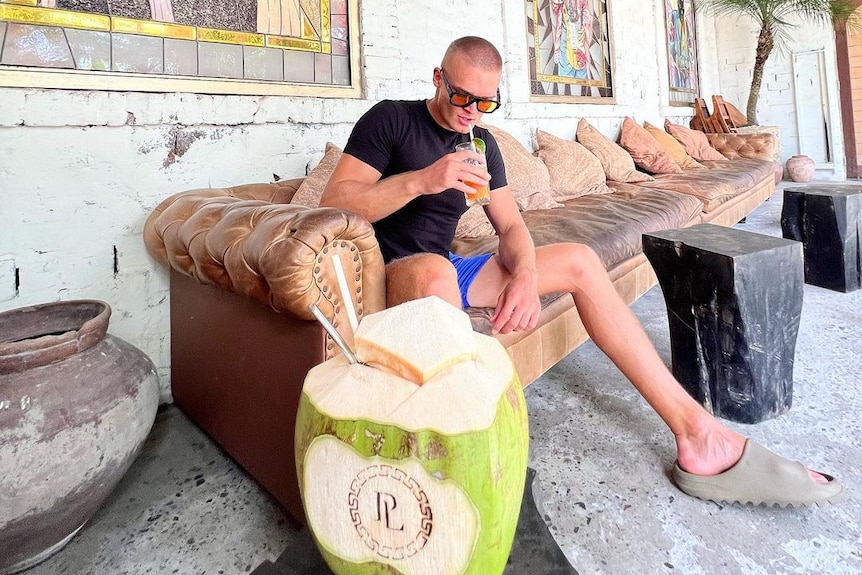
(777, 104)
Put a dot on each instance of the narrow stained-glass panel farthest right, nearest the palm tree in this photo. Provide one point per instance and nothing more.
(681, 51)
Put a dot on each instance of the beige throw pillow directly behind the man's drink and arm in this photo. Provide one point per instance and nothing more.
(529, 179)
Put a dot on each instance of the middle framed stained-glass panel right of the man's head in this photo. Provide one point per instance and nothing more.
(570, 50)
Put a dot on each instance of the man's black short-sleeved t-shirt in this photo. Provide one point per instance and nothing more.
(395, 137)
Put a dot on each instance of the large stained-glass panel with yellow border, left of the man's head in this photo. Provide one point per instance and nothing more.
(292, 47)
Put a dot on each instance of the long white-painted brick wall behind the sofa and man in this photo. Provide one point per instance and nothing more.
(80, 171)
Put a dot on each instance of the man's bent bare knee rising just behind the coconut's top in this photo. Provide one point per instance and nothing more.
(419, 276)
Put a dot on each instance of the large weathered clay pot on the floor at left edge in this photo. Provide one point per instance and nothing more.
(76, 405)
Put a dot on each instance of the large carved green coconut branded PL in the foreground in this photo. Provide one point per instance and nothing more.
(414, 461)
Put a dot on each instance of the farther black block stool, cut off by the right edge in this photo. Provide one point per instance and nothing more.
(828, 222)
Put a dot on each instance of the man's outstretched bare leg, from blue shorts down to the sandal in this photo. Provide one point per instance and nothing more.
(704, 445)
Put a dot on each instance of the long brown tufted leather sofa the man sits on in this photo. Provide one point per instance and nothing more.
(245, 265)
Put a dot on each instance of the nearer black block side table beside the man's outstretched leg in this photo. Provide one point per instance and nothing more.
(734, 302)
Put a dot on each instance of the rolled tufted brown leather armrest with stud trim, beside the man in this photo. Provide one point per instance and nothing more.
(245, 239)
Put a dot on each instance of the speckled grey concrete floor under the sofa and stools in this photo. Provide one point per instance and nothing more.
(602, 459)
